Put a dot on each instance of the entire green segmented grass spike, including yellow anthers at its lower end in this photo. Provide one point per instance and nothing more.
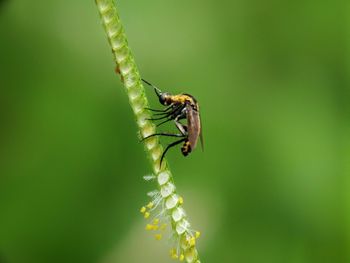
(170, 202)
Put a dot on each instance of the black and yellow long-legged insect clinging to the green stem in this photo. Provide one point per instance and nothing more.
(181, 106)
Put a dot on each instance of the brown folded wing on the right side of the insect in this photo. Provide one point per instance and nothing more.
(193, 125)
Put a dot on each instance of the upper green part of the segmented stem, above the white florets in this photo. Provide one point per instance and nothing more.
(130, 76)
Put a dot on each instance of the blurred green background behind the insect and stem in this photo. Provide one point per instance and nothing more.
(272, 79)
